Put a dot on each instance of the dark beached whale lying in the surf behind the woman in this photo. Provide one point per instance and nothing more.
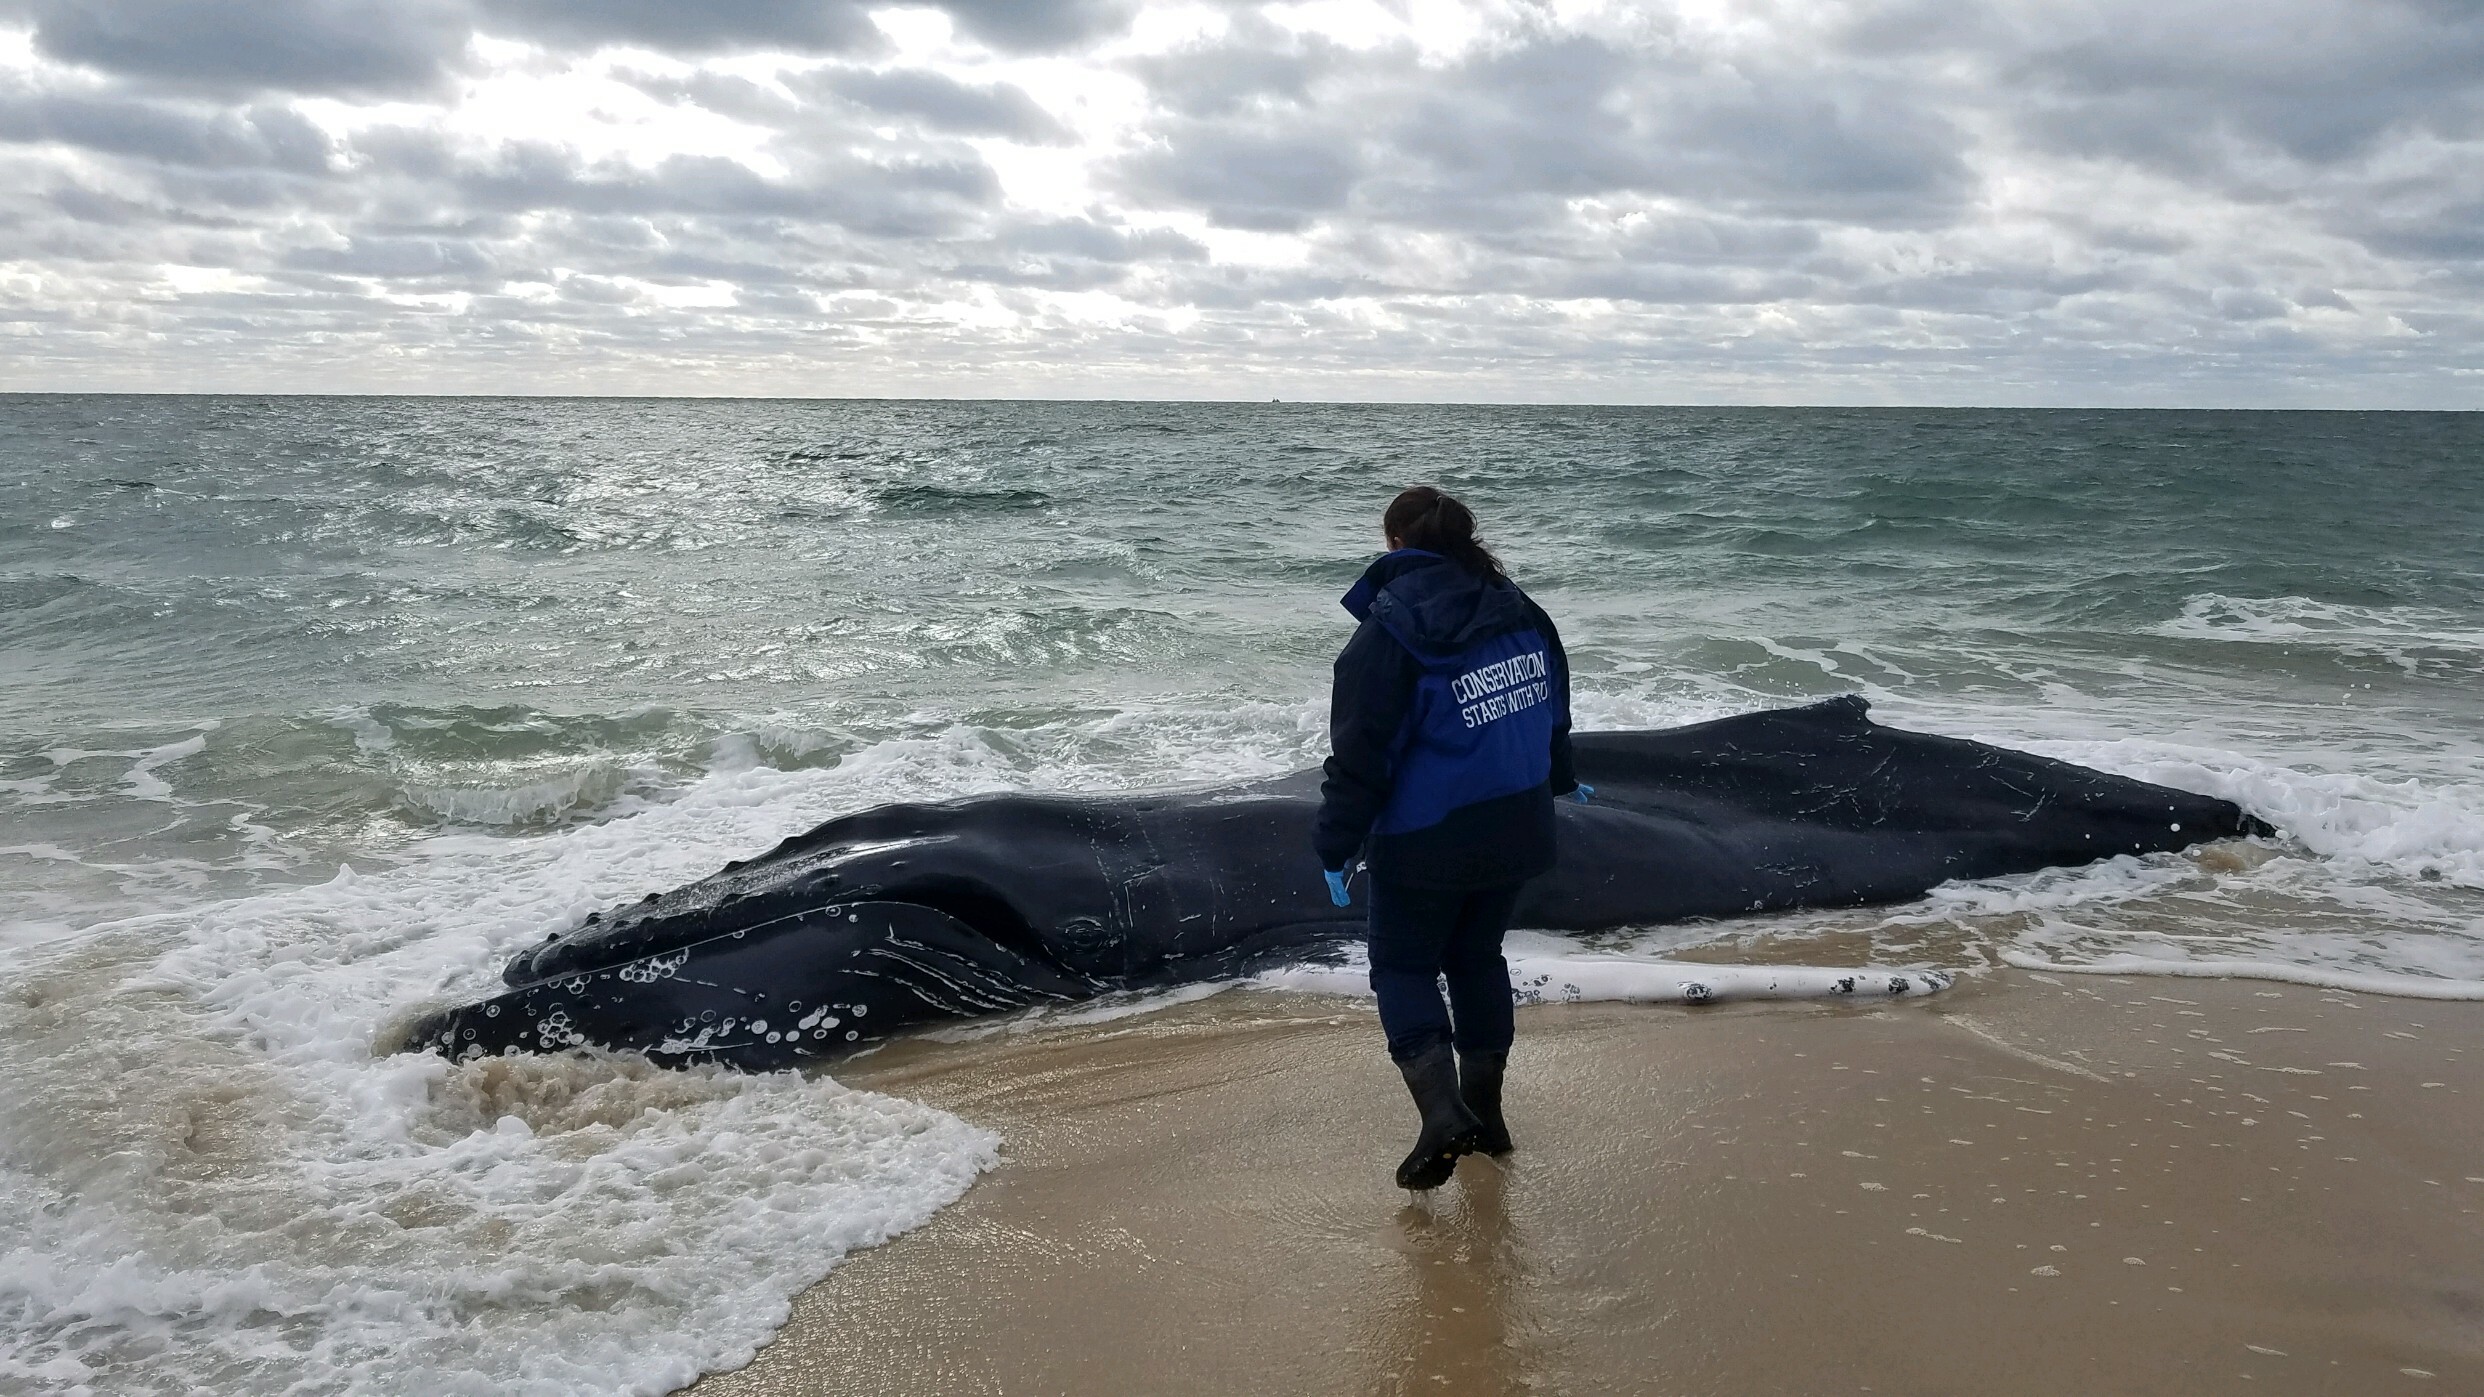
(913, 914)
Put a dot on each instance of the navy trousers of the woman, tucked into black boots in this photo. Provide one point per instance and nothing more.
(1422, 936)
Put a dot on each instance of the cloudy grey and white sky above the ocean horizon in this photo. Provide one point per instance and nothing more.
(1951, 203)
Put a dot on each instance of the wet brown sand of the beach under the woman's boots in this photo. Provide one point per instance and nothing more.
(2028, 1184)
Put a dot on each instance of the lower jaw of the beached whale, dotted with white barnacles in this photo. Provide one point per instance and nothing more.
(764, 996)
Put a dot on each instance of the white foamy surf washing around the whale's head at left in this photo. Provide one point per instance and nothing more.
(575, 1224)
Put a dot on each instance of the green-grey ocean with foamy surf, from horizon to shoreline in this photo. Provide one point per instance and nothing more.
(312, 710)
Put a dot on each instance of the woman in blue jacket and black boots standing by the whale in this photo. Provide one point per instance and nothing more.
(1449, 737)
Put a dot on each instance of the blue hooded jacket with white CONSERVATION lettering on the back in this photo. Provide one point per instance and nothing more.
(1449, 730)
